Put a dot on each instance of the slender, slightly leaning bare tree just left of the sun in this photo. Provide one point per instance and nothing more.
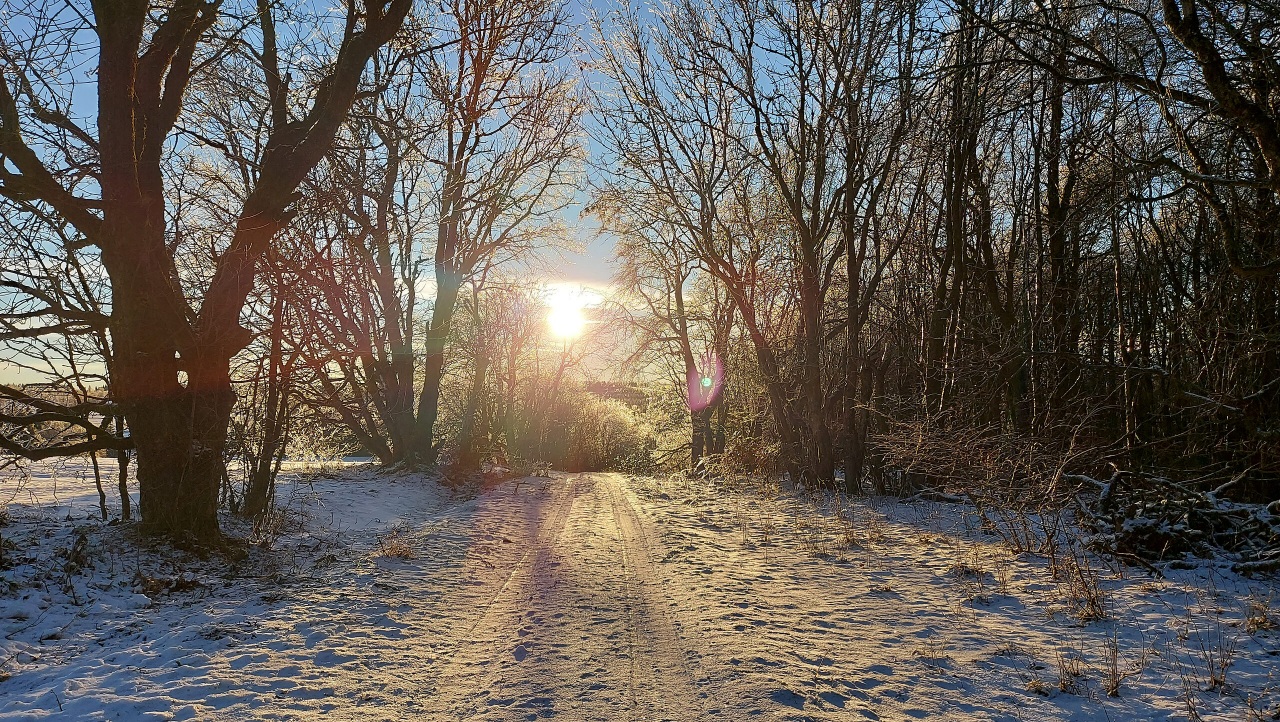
(508, 134)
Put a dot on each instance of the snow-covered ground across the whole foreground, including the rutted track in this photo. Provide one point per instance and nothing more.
(601, 597)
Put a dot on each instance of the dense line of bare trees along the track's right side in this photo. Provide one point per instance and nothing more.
(991, 245)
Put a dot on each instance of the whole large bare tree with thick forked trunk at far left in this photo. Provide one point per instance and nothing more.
(172, 342)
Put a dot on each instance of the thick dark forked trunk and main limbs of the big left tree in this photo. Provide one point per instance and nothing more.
(171, 365)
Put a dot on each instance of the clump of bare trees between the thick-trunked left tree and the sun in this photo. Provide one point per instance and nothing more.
(460, 164)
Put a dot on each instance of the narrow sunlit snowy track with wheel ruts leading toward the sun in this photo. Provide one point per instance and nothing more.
(579, 627)
